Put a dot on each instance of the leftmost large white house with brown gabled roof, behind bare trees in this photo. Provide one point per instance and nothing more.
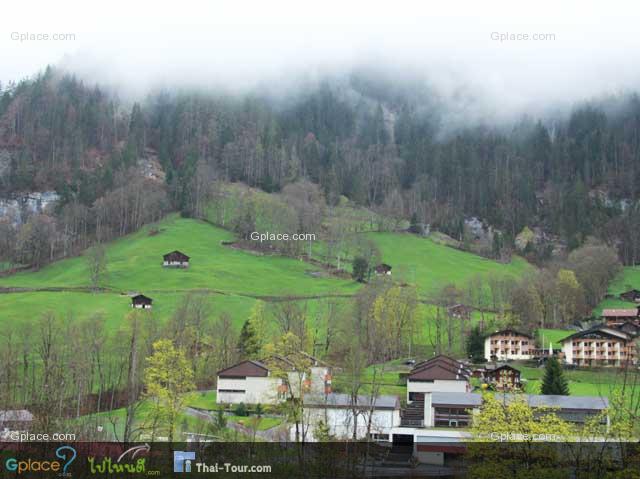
(254, 382)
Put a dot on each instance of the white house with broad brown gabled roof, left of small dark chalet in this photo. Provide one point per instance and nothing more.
(440, 373)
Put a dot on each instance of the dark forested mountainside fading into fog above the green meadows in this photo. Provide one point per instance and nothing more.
(119, 164)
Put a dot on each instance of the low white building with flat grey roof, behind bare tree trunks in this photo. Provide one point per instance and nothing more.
(369, 417)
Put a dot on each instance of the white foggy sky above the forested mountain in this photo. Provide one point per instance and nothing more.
(136, 46)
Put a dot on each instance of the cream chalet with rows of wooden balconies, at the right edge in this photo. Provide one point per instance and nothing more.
(600, 345)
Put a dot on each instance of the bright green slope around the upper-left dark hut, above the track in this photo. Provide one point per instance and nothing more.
(134, 263)
